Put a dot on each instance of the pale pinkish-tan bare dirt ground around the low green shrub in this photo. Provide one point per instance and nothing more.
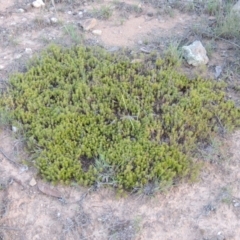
(208, 209)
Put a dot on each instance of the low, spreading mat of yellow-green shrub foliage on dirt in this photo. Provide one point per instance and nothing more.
(94, 116)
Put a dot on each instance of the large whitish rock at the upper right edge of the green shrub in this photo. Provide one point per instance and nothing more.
(195, 54)
